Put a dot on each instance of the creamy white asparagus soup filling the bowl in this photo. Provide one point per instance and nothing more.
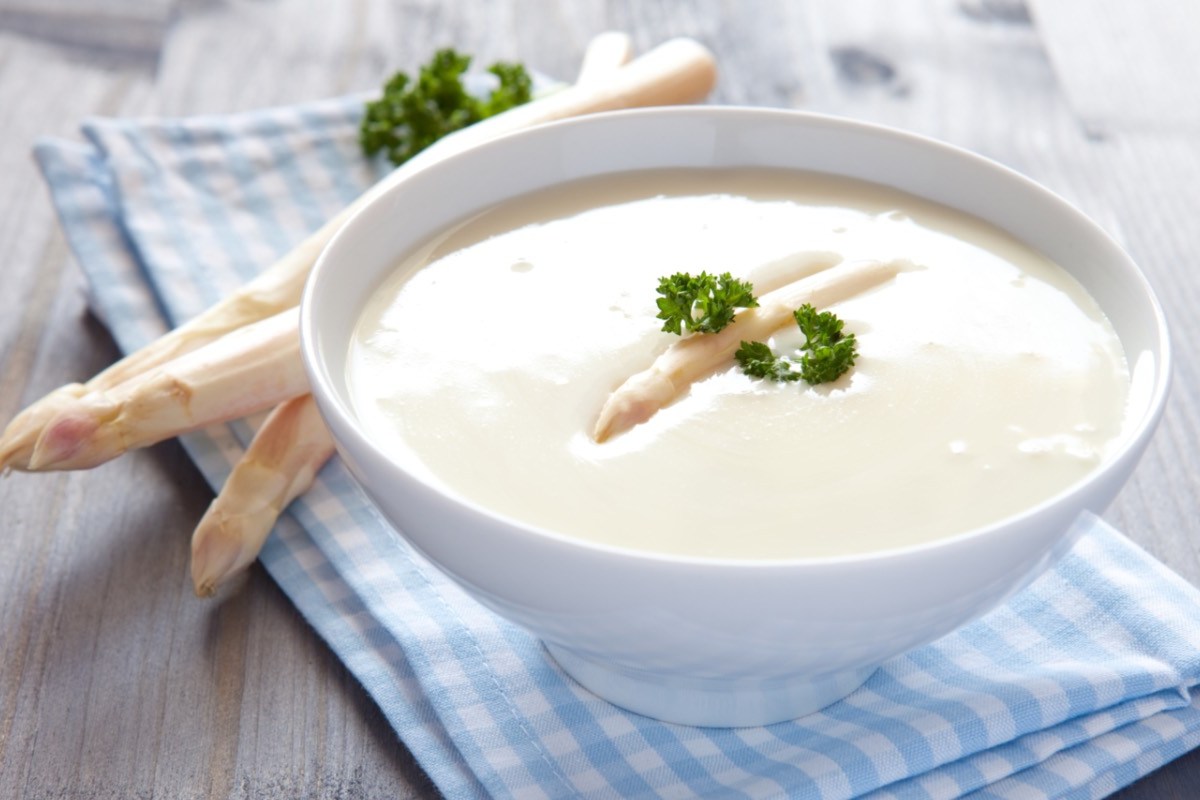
(987, 381)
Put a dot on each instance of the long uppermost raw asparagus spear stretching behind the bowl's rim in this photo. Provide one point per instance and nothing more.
(679, 71)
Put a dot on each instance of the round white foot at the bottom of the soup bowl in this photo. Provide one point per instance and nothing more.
(718, 703)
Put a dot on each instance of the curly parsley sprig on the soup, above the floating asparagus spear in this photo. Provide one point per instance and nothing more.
(703, 304)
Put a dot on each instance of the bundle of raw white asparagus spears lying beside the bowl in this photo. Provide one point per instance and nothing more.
(242, 357)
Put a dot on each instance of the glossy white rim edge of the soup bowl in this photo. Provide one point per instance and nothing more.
(1133, 441)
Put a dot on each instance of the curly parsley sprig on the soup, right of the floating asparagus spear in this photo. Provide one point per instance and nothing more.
(827, 352)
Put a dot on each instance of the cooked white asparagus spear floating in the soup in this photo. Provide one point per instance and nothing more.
(695, 357)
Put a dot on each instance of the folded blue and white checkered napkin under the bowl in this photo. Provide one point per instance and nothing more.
(1078, 687)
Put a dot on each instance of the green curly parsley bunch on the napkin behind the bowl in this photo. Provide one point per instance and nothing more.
(412, 116)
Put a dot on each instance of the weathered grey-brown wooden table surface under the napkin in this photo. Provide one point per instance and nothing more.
(116, 682)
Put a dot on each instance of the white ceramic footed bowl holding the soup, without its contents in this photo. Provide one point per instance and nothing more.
(704, 641)
